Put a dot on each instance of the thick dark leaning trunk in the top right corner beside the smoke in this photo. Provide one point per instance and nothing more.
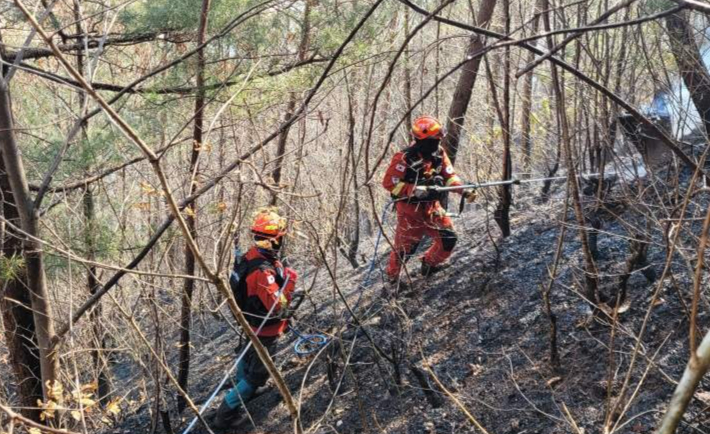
(690, 63)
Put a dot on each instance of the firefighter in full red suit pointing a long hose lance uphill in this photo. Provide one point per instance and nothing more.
(419, 212)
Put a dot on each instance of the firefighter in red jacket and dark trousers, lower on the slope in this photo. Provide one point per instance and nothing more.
(258, 284)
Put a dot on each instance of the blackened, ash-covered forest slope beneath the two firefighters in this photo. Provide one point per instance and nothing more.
(482, 327)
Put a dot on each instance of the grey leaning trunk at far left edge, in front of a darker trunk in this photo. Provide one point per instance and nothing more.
(31, 248)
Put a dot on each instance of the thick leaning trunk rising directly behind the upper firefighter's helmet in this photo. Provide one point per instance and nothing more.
(464, 87)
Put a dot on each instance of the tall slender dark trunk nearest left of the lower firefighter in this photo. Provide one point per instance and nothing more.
(191, 210)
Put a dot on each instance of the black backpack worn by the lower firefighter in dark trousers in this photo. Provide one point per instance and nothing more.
(254, 310)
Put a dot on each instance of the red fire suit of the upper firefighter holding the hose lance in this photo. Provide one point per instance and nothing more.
(419, 217)
